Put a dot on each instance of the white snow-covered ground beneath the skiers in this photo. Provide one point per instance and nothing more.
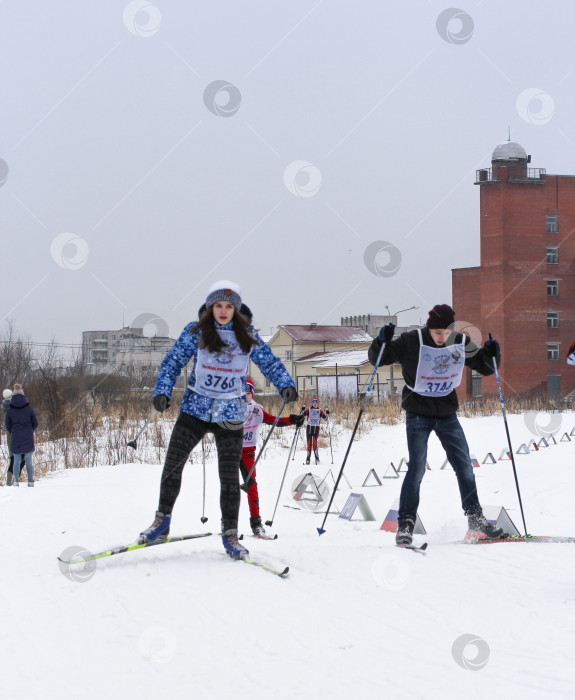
(357, 616)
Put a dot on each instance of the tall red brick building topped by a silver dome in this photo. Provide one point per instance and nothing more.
(523, 292)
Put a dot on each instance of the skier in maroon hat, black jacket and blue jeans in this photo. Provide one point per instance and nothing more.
(432, 361)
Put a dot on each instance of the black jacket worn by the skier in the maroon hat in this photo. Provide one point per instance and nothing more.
(405, 351)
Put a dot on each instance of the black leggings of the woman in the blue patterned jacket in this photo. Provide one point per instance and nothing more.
(186, 434)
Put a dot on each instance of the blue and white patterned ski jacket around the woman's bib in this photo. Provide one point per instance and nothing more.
(203, 407)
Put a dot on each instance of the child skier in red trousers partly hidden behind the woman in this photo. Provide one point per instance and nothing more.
(255, 416)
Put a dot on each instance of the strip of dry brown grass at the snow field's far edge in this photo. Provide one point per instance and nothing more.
(89, 436)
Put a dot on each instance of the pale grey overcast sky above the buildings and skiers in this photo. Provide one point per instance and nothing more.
(320, 154)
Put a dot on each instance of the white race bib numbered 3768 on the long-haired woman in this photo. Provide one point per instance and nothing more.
(219, 375)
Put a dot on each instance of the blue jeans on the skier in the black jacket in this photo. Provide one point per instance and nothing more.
(452, 438)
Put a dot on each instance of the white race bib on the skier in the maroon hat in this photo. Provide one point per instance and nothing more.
(439, 370)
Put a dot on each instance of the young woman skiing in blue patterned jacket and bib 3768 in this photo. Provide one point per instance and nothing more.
(220, 344)
